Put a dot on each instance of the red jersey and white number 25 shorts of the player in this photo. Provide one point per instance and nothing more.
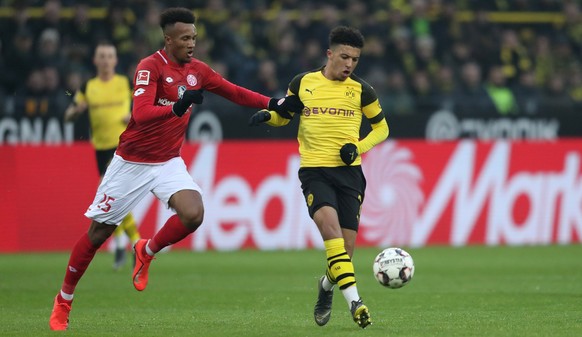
(148, 156)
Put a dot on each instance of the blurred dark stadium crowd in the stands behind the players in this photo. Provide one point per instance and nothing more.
(420, 55)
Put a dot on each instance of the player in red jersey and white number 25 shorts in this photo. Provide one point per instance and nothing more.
(148, 158)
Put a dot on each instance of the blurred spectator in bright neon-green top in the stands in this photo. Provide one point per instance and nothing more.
(499, 92)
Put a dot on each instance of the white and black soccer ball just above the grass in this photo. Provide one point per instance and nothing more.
(393, 267)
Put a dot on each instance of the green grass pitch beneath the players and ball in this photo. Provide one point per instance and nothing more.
(468, 291)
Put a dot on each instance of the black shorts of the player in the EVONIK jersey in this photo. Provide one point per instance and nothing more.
(339, 187)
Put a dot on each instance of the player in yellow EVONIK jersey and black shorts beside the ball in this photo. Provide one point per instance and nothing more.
(330, 171)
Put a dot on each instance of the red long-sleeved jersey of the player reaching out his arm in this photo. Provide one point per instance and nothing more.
(154, 134)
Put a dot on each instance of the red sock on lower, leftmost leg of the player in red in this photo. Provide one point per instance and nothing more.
(81, 257)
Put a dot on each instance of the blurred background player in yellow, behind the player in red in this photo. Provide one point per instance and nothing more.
(107, 97)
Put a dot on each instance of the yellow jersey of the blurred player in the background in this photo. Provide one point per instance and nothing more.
(109, 104)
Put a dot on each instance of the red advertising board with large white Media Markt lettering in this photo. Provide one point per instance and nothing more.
(418, 193)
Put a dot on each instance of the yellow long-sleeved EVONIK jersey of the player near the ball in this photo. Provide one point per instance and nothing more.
(332, 117)
